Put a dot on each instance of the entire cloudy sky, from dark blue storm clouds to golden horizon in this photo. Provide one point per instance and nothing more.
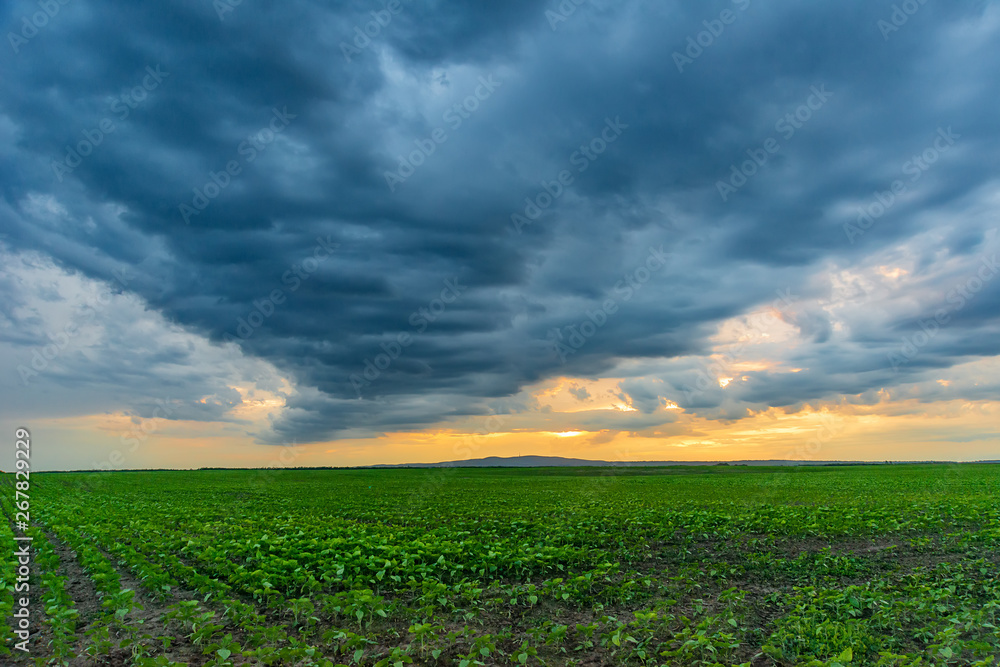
(285, 233)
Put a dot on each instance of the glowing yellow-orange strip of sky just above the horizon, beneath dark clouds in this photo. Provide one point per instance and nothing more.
(891, 430)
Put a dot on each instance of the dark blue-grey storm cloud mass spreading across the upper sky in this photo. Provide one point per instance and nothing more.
(275, 190)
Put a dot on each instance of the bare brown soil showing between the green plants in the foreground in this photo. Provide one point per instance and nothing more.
(883, 554)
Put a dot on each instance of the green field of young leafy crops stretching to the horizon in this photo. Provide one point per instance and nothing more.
(722, 565)
